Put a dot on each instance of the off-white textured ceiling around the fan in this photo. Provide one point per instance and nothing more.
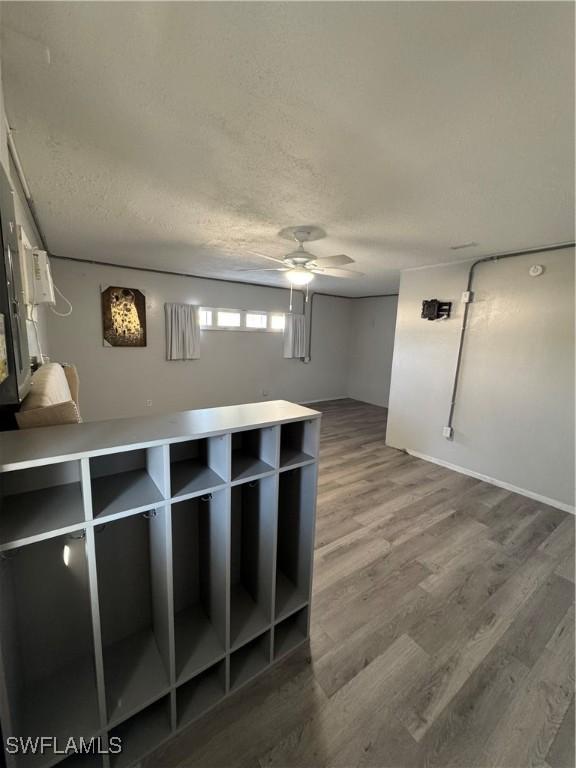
(182, 136)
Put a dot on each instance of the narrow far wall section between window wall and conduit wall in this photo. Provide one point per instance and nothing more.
(373, 322)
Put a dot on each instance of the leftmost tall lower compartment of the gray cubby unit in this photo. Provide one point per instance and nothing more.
(47, 643)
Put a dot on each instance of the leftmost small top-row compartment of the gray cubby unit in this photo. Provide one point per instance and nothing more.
(38, 502)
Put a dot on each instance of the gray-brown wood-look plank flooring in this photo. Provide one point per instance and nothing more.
(442, 626)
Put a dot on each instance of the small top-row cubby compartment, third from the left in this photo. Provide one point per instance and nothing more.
(198, 465)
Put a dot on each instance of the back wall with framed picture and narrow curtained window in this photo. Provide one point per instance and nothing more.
(234, 367)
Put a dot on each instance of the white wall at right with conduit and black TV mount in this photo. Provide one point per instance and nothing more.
(514, 418)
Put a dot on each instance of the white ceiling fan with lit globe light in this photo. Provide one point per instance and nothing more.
(300, 266)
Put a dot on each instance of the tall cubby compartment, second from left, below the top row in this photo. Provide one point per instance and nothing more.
(131, 560)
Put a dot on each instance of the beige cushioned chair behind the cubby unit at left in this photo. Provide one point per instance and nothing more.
(53, 398)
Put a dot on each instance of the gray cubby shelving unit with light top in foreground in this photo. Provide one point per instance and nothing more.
(148, 569)
